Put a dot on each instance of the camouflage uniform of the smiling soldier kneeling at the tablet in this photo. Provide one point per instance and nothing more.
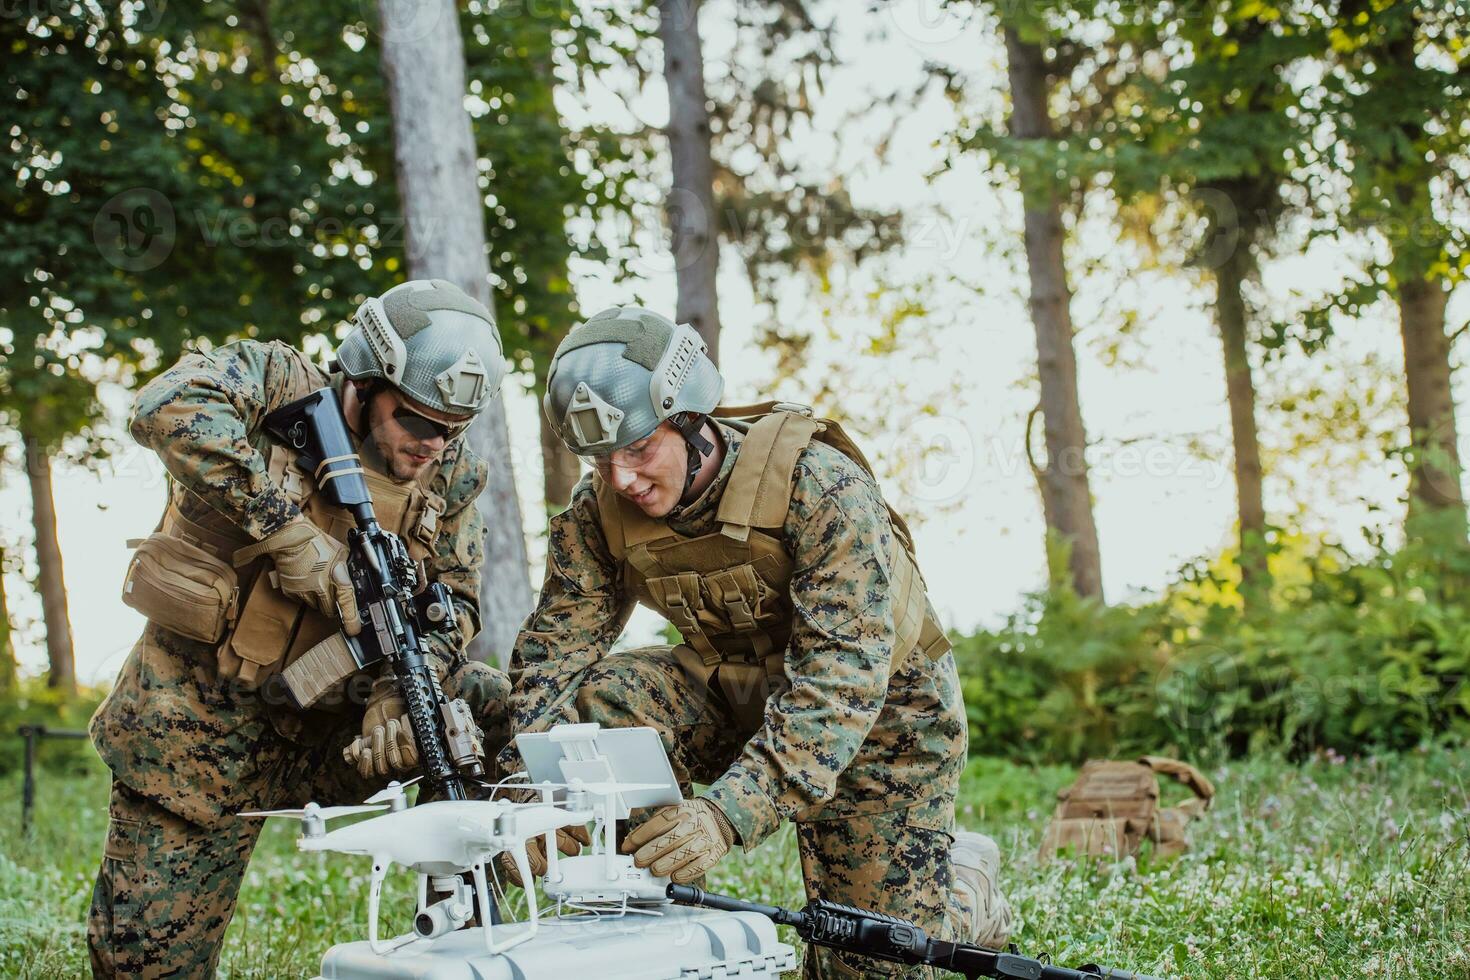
(864, 760)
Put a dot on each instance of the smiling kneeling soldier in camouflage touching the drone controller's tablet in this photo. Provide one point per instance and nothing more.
(814, 682)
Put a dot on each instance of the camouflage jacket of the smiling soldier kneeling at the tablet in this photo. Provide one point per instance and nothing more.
(845, 737)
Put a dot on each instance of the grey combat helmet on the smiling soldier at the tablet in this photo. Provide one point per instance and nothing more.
(617, 377)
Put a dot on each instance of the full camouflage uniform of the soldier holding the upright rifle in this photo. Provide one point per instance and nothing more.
(187, 749)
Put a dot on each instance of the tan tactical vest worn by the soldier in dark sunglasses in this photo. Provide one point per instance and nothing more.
(265, 630)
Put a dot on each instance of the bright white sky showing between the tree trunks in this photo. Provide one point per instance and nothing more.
(1153, 402)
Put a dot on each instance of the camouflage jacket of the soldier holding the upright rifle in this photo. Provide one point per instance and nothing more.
(173, 728)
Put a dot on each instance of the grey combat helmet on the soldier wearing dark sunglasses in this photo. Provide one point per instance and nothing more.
(431, 342)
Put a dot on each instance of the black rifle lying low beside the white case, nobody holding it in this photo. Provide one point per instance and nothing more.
(883, 937)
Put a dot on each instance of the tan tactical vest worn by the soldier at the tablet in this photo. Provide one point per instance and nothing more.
(728, 591)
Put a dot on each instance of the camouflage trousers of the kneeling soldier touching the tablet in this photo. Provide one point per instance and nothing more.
(896, 862)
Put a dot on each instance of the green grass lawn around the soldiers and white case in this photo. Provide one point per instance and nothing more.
(1327, 869)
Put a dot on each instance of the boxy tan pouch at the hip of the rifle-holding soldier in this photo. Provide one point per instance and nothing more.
(182, 588)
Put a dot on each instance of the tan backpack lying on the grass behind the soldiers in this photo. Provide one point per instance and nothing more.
(1115, 806)
